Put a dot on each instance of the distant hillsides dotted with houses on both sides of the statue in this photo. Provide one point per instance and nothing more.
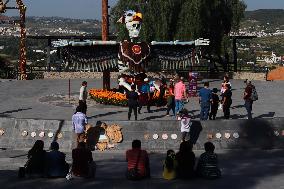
(266, 25)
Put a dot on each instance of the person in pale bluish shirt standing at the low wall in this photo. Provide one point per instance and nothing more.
(79, 120)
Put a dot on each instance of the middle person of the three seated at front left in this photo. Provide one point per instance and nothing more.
(55, 164)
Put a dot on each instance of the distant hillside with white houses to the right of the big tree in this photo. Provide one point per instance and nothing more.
(268, 48)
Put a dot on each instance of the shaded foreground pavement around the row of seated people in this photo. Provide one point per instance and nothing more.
(251, 170)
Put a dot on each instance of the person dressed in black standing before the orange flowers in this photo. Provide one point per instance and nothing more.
(132, 97)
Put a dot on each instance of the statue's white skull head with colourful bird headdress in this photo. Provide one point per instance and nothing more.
(132, 21)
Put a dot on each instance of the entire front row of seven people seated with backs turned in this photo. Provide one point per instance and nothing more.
(183, 164)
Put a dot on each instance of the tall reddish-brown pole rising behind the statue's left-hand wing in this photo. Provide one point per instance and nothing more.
(105, 33)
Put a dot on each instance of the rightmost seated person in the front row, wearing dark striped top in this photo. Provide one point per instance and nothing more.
(207, 166)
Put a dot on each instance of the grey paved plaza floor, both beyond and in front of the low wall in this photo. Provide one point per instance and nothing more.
(42, 99)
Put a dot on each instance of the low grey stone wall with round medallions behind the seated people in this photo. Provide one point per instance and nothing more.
(225, 134)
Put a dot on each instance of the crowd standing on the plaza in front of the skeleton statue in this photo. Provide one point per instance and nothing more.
(174, 95)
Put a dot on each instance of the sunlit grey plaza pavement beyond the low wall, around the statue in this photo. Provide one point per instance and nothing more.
(21, 99)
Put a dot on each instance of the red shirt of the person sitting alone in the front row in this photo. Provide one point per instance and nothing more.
(131, 158)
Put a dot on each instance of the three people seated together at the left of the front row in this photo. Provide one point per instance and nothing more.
(52, 163)
